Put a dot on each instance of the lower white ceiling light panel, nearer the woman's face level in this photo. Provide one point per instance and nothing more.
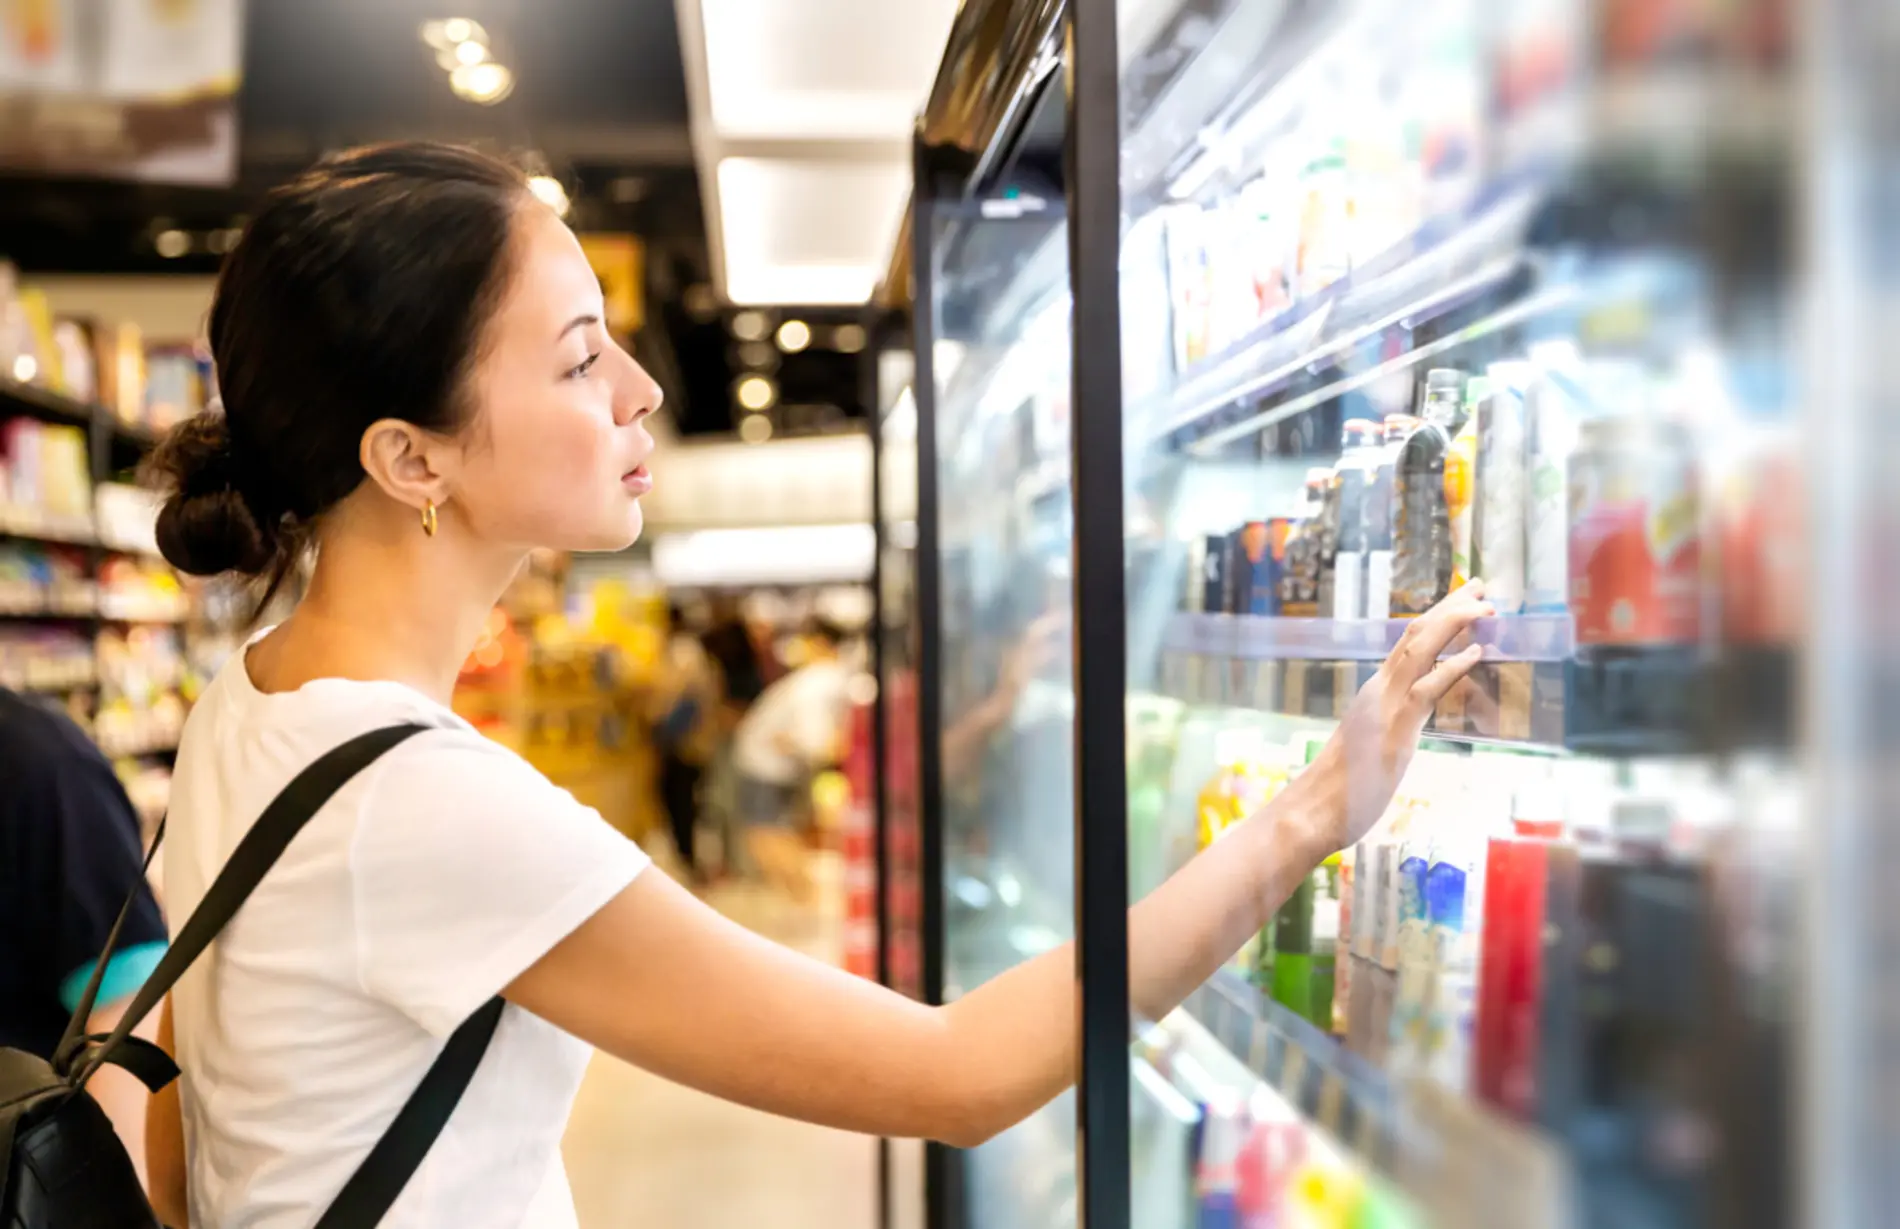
(808, 233)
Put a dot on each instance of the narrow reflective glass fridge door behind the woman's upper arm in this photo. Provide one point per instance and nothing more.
(997, 299)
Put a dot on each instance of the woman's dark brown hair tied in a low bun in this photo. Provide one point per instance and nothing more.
(358, 293)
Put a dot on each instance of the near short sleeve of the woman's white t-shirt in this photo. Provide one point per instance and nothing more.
(468, 867)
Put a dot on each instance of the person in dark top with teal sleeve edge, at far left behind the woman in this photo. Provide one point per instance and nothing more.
(69, 861)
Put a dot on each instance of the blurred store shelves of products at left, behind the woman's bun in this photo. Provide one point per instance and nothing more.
(92, 620)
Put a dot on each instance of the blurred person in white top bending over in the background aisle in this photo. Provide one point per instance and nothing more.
(789, 736)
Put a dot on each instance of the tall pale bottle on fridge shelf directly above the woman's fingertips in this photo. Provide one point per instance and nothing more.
(1498, 533)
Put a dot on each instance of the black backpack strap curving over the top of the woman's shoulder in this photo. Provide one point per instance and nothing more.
(244, 871)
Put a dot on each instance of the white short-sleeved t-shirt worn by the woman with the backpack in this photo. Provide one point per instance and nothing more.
(423, 890)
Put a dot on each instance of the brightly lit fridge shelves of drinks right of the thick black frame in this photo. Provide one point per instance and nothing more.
(1415, 293)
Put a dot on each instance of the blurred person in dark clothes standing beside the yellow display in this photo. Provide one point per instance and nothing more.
(685, 717)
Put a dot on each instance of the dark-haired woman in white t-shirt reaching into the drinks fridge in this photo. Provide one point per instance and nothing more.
(419, 385)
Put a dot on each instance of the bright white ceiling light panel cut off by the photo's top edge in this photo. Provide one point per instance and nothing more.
(822, 69)
